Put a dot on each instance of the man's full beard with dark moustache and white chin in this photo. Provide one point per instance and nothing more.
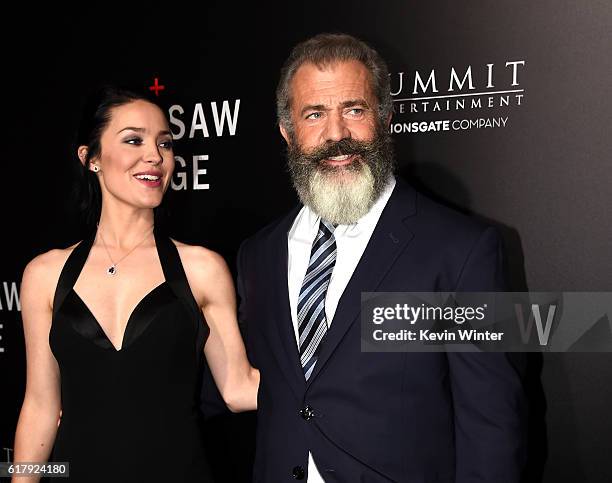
(342, 194)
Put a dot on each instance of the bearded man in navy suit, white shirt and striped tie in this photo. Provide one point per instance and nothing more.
(327, 411)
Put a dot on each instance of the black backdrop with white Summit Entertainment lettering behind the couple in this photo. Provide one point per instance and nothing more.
(501, 109)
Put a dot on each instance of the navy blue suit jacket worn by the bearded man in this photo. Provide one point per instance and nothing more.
(381, 417)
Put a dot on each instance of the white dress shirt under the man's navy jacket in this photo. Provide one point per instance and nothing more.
(351, 242)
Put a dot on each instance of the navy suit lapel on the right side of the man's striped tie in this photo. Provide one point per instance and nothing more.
(389, 239)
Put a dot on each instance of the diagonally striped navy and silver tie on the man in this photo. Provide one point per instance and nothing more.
(312, 322)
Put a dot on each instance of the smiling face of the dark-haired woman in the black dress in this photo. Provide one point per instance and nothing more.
(136, 160)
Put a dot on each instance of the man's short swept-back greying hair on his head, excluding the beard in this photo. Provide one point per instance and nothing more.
(323, 50)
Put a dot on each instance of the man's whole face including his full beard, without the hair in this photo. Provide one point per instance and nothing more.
(339, 153)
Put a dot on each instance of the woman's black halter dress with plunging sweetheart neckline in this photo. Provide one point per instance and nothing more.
(130, 415)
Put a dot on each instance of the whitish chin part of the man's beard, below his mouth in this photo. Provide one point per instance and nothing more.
(340, 195)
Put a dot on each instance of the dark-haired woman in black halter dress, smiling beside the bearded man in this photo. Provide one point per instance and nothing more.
(113, 325)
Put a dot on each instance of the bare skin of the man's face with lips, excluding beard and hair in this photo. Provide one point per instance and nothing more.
(330, 105)
